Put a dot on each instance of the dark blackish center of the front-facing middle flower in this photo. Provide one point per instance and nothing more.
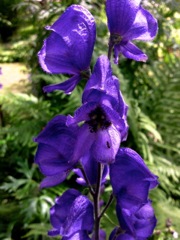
(98, 120)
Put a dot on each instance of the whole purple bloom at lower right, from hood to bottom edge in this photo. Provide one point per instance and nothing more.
(134, 211)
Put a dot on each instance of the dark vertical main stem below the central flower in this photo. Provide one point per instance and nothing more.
(96, 201)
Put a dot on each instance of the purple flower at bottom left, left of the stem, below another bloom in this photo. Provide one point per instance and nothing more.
(72, 216)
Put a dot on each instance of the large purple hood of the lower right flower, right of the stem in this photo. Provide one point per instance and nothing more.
(136, 178)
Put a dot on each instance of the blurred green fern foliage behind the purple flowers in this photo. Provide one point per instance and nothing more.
(151, 90)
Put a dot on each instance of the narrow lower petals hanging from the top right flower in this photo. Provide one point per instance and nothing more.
(129, 50)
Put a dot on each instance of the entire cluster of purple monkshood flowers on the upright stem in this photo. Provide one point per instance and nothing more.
(88, 143)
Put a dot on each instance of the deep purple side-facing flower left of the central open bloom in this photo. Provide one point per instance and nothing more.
(55, 151)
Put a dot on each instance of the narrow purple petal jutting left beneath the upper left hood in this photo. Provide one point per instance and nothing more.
(67, 86)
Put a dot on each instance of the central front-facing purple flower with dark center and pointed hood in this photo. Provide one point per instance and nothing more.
(103, 115)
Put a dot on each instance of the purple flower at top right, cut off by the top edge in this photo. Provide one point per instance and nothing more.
(128, 21)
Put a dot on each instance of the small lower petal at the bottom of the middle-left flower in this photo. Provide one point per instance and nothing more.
(53, 180)
